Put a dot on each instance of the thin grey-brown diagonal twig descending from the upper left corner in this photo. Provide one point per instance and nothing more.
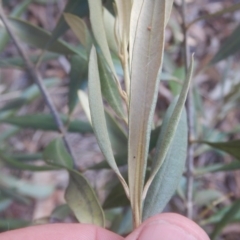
(35, 75)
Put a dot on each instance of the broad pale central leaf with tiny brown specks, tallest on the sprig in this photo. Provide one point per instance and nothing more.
(147, 55)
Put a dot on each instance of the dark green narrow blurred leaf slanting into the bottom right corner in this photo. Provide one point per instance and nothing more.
(228, 217)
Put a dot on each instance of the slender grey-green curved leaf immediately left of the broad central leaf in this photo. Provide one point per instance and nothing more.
(98, 116)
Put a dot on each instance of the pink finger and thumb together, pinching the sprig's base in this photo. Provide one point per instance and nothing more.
(167, 226)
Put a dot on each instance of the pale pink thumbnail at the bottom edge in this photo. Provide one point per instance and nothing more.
(164, 231)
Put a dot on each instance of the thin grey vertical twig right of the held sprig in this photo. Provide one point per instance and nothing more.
(190, 115)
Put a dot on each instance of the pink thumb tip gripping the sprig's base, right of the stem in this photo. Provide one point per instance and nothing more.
(168, 226)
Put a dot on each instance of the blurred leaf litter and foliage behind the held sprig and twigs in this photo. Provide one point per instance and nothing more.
(32, 188)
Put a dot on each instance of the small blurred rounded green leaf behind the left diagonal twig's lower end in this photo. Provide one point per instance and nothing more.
(56, 154)
